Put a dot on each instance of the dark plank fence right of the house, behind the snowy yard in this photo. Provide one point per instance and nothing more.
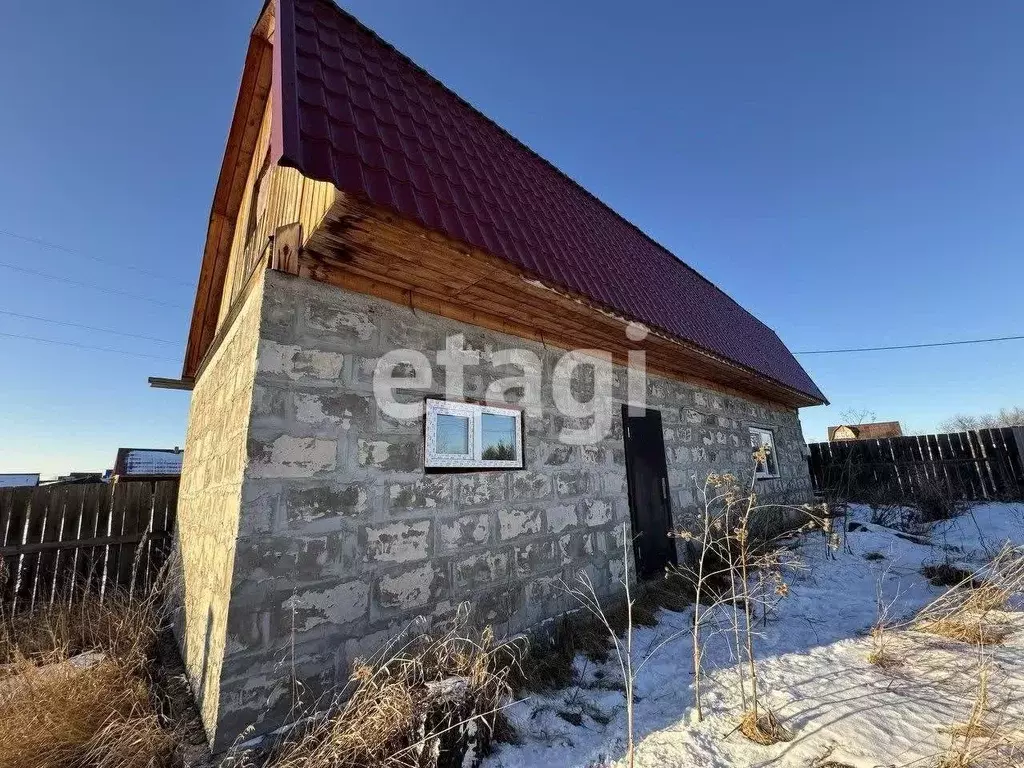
(987, 464)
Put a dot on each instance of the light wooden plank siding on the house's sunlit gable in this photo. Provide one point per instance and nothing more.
(290, 198)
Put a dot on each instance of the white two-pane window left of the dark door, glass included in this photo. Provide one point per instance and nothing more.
(473, 437)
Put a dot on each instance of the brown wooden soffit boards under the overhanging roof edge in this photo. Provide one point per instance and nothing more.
(370, 250)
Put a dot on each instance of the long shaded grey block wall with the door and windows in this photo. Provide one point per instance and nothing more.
(344, 539)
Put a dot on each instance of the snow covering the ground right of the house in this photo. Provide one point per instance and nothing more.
(814, 669)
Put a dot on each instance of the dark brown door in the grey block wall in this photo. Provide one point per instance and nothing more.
(648, 478)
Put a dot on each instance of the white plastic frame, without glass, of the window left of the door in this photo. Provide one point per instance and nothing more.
(475, 412)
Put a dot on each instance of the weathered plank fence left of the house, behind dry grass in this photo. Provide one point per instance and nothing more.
(61, 541)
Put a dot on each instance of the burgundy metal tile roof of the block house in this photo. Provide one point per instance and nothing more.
(354, 111)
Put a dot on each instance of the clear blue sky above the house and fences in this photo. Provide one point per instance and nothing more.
(849, 173)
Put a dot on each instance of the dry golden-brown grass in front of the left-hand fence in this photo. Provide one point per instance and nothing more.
(59, 714)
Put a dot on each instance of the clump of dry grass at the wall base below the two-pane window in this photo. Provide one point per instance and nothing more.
(434, 696)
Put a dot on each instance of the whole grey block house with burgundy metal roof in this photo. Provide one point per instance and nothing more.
(386, 422)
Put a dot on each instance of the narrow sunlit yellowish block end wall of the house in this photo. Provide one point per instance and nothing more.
(209, 503)
